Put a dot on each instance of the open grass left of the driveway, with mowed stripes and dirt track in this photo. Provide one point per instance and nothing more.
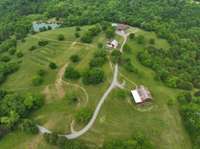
(56, 114)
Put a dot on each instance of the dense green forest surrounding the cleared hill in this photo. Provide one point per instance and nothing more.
(178, 21)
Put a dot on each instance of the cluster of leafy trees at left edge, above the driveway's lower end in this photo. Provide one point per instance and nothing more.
(14, 106)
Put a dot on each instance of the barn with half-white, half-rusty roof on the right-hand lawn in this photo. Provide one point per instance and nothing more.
(141, 95)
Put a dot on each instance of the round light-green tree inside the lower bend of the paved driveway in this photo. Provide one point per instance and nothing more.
(83, 115)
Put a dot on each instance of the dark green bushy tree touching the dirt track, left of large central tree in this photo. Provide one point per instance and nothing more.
(71, 73)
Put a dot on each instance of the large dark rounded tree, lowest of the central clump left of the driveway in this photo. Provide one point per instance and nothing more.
(93, 76)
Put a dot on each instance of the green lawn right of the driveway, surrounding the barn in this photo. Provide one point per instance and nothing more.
(121, 118)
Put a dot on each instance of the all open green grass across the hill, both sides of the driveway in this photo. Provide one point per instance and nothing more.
(119, 118)
